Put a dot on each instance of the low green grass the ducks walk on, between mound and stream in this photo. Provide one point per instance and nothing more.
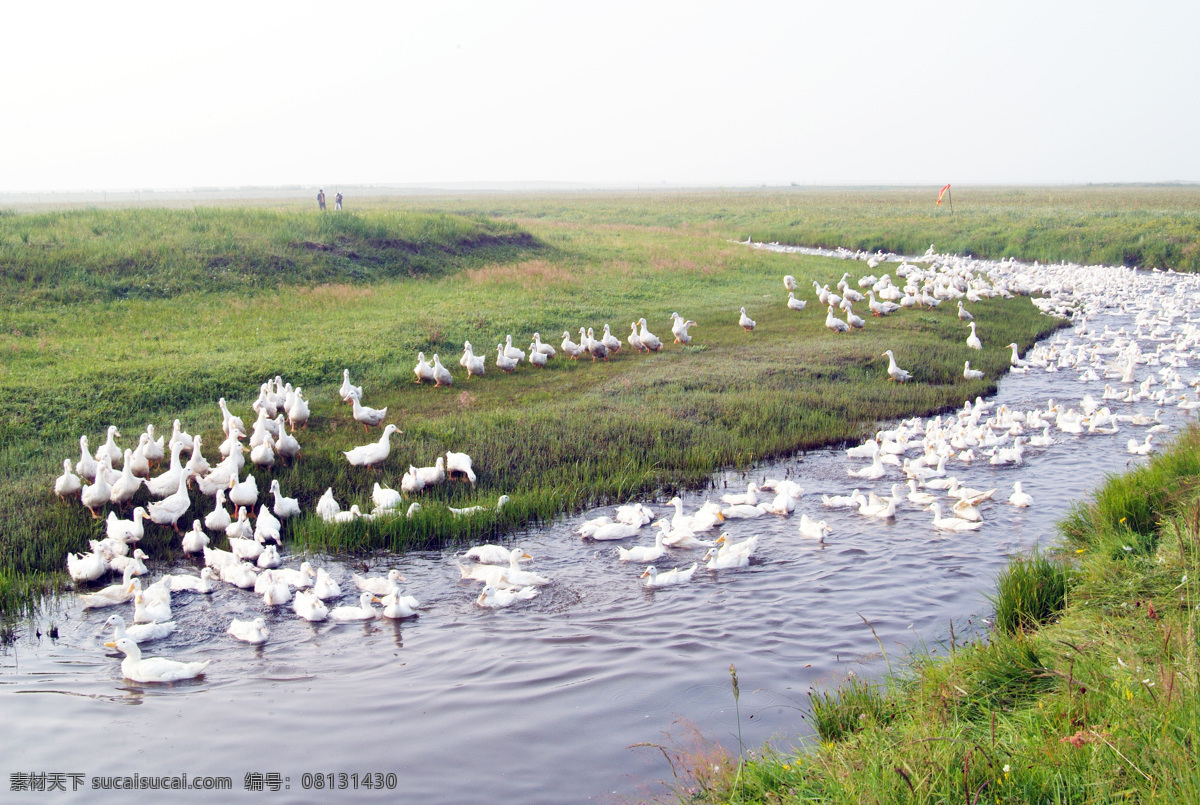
(554, 440)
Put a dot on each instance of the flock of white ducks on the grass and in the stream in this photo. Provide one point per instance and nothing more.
(911, 471)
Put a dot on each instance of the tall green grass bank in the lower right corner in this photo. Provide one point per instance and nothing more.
(1084, 693)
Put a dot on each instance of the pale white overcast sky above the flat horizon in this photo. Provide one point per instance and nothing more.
(179, 95)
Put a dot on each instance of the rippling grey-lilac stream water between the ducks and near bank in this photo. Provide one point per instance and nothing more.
(541, 702)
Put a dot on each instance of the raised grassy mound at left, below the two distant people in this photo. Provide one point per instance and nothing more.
(75, 257)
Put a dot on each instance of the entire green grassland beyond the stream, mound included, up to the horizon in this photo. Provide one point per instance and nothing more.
(135, 316)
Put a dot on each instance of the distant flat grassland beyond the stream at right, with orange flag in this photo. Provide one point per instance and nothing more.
(1136, 226)
